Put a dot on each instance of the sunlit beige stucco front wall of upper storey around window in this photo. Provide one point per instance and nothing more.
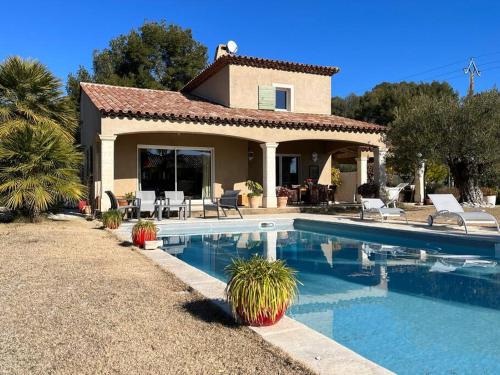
(312, 92)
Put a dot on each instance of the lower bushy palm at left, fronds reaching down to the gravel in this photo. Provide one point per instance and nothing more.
(38, 168)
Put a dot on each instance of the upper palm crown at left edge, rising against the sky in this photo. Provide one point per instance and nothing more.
(31, 94)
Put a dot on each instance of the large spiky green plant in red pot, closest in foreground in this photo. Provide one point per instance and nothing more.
(260, 291)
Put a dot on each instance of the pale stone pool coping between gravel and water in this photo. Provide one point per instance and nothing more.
(309, 347)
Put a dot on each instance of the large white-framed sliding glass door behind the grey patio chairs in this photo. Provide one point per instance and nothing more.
(176, 169)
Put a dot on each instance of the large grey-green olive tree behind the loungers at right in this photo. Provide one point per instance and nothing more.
(461, 133)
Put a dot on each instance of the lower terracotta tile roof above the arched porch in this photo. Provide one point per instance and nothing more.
(134, 102)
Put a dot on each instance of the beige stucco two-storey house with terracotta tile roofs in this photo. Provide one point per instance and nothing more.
(241, 118)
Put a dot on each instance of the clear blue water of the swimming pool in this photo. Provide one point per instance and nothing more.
(413, 310)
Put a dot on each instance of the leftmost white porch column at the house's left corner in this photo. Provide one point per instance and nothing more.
(107, 169)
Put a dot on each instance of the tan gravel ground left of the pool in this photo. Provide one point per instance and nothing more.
(74, 300)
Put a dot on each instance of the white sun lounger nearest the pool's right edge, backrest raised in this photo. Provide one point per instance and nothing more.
(448, 207)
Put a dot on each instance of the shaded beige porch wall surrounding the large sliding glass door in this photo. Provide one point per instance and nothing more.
(231, 158)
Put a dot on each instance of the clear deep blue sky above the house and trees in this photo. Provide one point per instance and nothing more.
(371, 41)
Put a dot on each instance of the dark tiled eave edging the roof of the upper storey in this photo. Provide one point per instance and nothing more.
(258, 63)
